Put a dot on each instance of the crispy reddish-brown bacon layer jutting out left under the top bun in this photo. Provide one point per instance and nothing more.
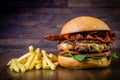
(101, 36)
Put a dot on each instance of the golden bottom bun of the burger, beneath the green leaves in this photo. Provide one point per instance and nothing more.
(69, 62)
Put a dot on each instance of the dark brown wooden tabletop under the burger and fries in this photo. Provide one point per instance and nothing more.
(110, 73)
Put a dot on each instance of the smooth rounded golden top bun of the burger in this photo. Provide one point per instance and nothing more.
(84, 23)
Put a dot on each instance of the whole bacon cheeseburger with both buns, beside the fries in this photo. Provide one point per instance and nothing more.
(84, 42)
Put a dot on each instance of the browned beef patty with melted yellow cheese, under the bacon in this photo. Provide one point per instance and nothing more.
(83, 46)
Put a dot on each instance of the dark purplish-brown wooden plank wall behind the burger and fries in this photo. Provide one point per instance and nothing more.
(24, 22)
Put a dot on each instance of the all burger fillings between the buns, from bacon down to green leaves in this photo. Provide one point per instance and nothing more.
(94, 44)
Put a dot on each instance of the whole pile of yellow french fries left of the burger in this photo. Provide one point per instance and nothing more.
(37, 59)
